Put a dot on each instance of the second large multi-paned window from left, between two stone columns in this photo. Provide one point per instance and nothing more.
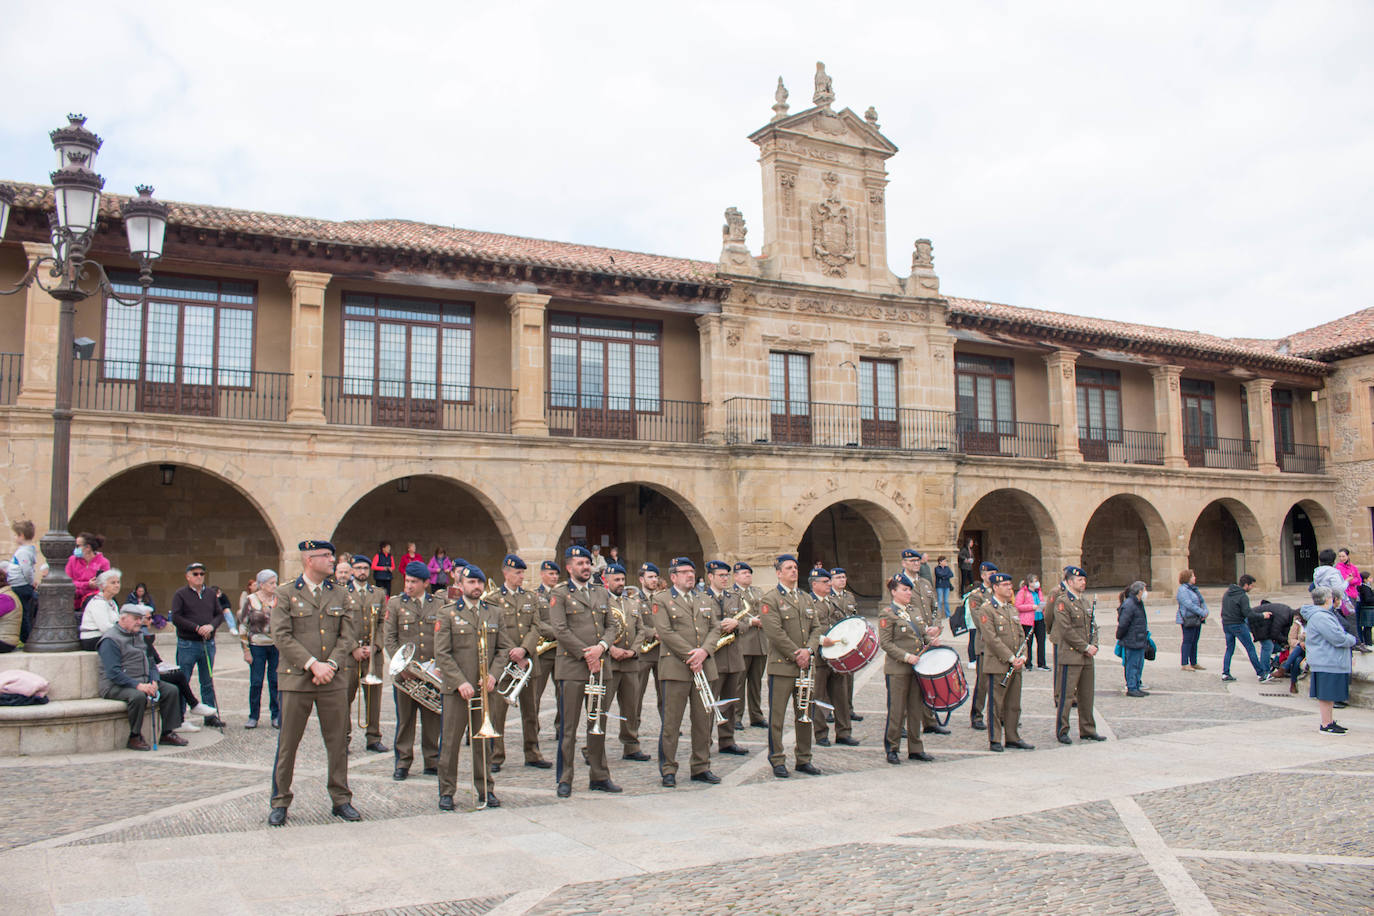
(405, 348)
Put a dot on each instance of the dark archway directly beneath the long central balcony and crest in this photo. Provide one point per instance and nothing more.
(862, 538)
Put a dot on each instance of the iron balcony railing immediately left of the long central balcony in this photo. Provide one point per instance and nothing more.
(623, 418)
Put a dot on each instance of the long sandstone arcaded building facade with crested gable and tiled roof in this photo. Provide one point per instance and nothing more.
(388, 380)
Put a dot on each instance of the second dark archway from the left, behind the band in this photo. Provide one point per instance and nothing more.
(431, 512)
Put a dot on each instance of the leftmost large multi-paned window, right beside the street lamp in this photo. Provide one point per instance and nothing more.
(190, 330)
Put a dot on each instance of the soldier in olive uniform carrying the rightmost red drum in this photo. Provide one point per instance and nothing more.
(903, 637)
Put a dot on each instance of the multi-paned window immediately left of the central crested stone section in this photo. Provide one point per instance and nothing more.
(605, 365)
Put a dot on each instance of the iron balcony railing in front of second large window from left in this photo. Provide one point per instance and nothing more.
(351, 402)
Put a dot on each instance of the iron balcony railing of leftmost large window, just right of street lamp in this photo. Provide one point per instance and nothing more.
(186, 391)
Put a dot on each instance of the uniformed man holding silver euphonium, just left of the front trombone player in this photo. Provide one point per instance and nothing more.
(412, 620)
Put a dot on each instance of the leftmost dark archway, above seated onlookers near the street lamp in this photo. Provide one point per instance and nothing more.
(159, 518)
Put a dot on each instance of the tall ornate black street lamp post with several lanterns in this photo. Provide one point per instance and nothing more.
(76, 197)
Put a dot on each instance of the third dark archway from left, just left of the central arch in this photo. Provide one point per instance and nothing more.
(644, 521)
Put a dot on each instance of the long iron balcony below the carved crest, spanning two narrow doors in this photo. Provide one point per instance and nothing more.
(766, 422)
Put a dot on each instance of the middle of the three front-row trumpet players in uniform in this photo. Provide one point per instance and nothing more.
(688, 624)
